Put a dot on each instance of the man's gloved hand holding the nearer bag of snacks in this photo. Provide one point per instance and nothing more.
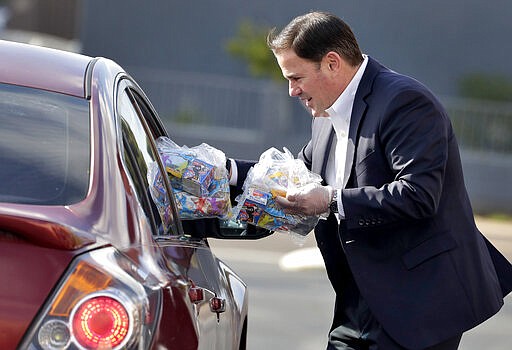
(310, 200)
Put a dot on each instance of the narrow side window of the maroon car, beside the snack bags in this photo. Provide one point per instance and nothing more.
(142, 161)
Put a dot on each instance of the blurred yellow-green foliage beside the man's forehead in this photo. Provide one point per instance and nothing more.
(250, 46)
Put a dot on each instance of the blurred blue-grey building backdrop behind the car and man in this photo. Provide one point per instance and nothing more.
(179, 53)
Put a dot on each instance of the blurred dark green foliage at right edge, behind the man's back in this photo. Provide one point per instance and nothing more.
(486, 87)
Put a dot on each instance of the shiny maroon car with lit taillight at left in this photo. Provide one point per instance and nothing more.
(86, 261)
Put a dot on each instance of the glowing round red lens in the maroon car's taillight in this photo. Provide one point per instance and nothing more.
(101, 322)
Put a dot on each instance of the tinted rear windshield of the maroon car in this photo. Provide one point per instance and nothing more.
(44, 147)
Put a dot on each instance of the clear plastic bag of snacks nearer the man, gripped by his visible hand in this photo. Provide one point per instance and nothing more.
(274, 175)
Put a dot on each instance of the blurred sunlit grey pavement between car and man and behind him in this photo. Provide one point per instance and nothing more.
(293, 261)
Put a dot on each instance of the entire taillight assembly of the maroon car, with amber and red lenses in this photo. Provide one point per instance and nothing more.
(103, 302)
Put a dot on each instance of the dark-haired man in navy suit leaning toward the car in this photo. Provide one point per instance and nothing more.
(409, 267)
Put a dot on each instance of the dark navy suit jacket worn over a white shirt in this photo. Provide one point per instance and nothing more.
(409, 238)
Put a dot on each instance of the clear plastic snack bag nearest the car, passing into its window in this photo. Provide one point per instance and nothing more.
(199, 179)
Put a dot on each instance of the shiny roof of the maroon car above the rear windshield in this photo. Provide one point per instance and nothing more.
(43, 68)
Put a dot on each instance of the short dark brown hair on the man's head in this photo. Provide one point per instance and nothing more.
(313, 35)
